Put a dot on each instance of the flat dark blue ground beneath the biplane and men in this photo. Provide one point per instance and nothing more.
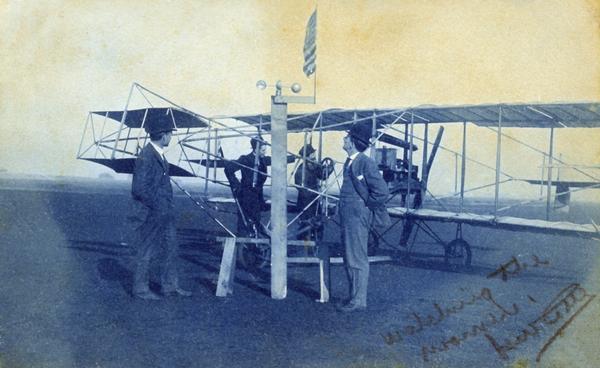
(65, 299)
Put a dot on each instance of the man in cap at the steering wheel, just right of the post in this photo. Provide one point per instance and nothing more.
(307, 177)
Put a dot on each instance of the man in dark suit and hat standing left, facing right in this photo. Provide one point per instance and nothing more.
(154, 220)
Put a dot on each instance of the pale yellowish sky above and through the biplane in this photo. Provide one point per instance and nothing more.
(61, 59)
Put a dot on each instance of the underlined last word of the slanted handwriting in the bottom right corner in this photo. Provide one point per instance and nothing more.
(565, 301)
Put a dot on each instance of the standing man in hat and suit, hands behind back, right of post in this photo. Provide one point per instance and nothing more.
(363, 190)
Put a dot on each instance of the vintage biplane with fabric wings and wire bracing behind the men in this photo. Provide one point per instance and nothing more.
(117, 137)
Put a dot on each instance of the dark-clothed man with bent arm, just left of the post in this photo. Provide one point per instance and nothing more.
(248, 192)
